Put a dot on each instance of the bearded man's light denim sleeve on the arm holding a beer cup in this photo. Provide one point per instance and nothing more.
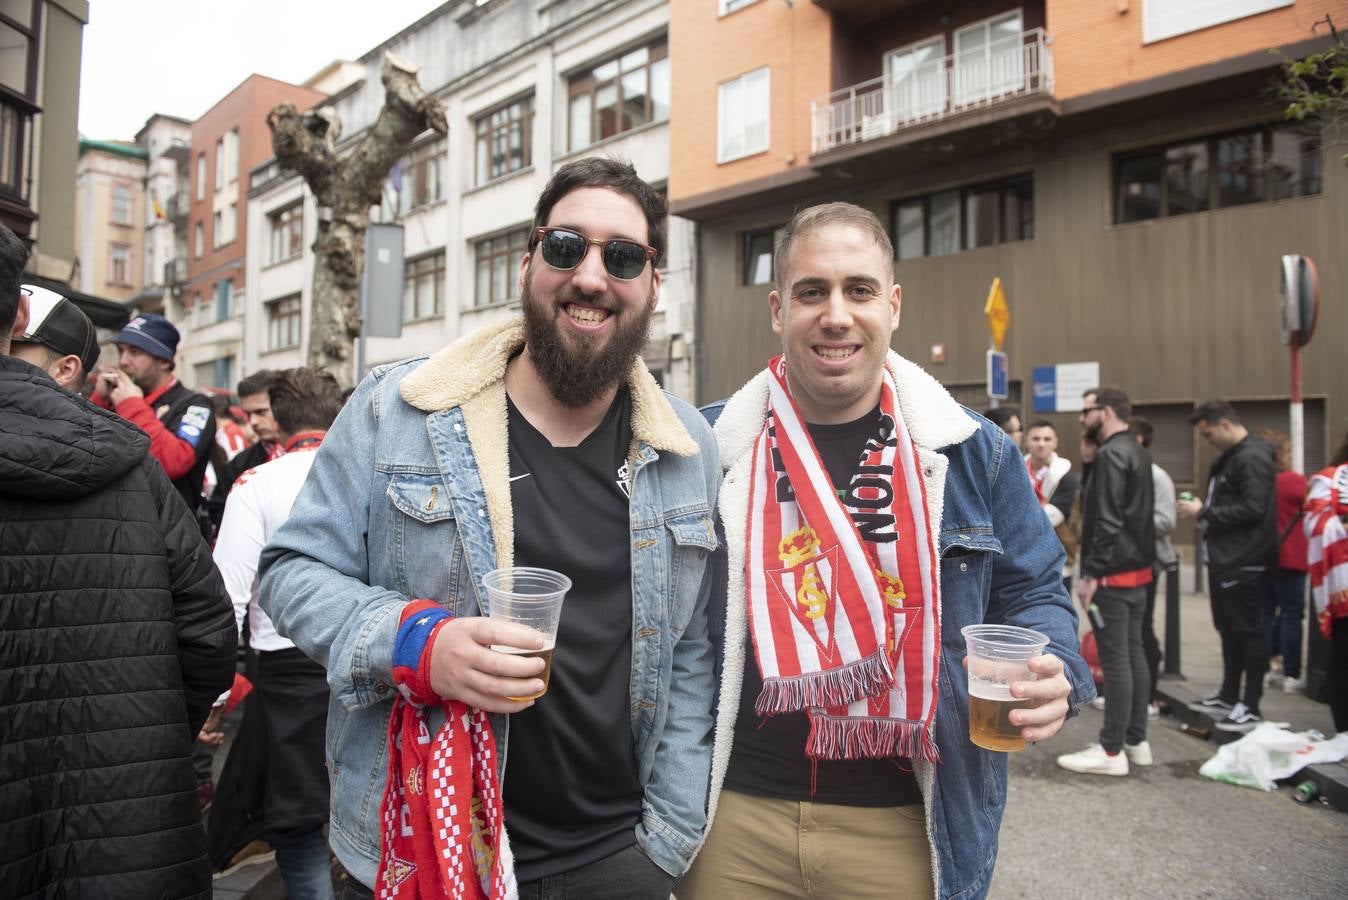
(316, 571)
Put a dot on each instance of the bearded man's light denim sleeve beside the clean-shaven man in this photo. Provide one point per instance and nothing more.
(683, 769)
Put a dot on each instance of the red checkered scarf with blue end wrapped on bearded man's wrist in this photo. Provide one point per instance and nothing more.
(443, 831)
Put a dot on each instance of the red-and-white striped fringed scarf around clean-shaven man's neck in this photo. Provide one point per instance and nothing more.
(845, 600)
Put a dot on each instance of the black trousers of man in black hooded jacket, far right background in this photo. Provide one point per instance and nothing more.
(1237, 600)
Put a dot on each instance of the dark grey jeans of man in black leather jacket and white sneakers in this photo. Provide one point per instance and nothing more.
(1125, 664)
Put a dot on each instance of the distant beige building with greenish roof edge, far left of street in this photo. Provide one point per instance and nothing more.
(110, 219)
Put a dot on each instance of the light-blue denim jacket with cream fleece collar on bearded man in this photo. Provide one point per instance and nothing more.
(409, 498)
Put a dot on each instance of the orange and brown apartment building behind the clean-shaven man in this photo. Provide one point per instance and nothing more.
(1121, 166)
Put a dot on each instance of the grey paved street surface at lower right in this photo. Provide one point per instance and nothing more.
(1168, 832)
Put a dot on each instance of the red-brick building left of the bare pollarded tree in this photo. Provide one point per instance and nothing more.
(227, 143)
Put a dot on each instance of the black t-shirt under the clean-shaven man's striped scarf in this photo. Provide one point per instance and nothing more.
(769, 758)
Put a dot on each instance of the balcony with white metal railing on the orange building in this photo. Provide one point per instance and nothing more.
(921, 90)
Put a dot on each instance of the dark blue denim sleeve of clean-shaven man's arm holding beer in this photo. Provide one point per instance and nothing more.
(1028, 576)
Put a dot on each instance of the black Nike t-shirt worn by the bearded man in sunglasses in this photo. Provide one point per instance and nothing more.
(572, 790)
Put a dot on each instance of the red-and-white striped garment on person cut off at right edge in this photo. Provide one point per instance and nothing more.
(1327, 537)
